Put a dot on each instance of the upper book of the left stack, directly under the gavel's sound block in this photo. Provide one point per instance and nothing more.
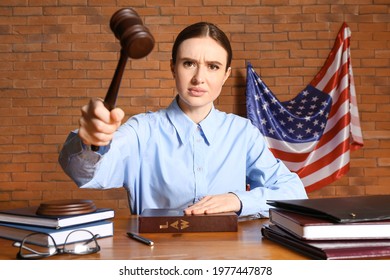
(28, 216)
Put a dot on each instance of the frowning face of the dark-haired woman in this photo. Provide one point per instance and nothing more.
(200, 72)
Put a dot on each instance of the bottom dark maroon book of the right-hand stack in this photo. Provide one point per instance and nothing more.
(329, 249)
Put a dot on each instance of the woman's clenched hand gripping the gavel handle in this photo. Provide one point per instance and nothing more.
(98, 124)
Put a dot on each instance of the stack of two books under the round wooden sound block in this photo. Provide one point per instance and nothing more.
(16, 224)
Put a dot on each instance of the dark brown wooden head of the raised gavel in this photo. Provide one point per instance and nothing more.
(135, 38)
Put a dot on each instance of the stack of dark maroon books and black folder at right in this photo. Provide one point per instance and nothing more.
(332, 228)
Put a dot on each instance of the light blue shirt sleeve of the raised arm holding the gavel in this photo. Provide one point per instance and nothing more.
(105, 168)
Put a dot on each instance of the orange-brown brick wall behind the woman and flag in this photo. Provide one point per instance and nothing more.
(56, 54)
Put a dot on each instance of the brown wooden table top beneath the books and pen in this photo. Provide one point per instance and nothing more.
(247, 243)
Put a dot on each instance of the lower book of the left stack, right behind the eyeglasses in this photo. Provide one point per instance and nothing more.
(18, 232)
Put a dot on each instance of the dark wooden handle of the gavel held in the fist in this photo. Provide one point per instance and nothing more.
(112, 93)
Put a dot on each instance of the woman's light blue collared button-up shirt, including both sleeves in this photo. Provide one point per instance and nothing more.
(165, 160)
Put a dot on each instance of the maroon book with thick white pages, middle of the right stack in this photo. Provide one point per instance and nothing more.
(313, 228)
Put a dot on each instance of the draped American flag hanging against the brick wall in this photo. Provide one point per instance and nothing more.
(314, 132)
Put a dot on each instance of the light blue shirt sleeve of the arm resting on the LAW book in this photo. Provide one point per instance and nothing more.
(268, 178)
